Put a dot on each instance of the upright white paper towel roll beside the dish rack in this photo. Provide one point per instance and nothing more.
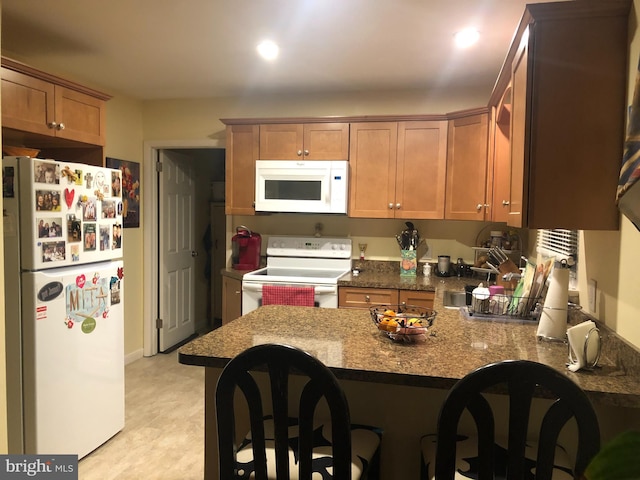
(553, 319)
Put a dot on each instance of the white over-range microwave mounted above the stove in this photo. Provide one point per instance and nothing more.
(302, 186)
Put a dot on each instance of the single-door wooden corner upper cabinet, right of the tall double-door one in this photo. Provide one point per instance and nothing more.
(467, 167)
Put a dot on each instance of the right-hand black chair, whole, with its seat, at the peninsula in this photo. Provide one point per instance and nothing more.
(486, 456)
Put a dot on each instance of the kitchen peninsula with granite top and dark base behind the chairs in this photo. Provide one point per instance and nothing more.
(401, 386)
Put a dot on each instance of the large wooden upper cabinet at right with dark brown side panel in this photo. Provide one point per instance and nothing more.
(568, 111)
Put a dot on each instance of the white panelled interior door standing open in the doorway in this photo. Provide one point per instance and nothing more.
(177, 249)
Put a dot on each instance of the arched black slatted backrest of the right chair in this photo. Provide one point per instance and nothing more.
(521, 378)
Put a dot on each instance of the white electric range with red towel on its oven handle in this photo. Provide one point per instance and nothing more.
(300, 261)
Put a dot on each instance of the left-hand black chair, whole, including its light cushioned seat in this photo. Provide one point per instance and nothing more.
(280, 445)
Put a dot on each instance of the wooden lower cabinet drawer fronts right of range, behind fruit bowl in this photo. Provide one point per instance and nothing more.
(362, 297)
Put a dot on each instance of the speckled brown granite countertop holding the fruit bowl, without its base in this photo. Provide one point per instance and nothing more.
(349, 343)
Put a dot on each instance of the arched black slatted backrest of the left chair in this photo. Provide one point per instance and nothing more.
(279, 362)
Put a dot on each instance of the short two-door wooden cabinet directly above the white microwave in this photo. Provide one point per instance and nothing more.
(310, 141)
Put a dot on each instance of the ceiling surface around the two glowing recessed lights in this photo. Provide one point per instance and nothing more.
(157, 49)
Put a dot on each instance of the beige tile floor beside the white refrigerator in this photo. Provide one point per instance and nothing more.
(163, 437)
